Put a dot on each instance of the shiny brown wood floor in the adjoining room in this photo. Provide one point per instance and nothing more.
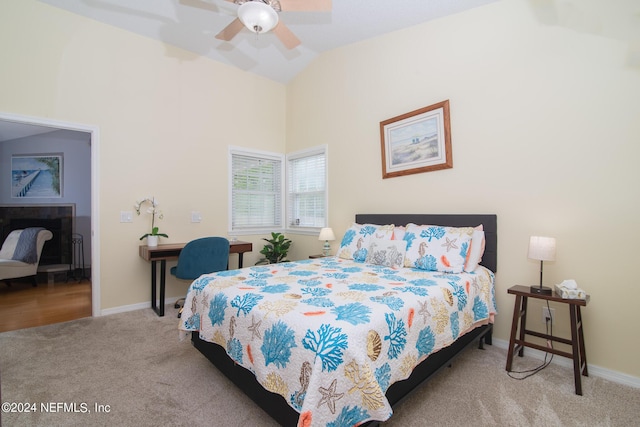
(23, 306)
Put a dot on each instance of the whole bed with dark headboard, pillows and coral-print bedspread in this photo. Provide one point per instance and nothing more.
(340, 340)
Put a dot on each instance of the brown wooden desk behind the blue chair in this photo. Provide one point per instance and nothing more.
(171, 251)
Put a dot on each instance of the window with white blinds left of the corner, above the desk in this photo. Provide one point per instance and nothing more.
(256, 191)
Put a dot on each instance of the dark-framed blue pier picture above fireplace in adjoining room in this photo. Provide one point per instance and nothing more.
(36, 176)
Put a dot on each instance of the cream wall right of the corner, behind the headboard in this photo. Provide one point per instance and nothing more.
(545, 124)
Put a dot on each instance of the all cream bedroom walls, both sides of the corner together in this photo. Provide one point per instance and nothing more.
(544, 120)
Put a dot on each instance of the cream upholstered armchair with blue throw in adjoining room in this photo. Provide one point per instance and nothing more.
(20, 253)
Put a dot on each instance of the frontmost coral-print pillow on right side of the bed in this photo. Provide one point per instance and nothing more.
(437, 248)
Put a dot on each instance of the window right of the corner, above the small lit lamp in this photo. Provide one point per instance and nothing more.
(307, 190)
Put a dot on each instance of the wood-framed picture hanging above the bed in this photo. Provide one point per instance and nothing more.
(416, 142)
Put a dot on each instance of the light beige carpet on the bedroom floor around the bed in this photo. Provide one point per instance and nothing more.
(134, 363)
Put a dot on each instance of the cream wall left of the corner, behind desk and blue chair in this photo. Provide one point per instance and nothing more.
(165, 116)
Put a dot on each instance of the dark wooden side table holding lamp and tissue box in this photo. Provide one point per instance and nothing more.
(516, 345)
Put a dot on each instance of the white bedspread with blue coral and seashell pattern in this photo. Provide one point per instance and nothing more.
(331, 335)
